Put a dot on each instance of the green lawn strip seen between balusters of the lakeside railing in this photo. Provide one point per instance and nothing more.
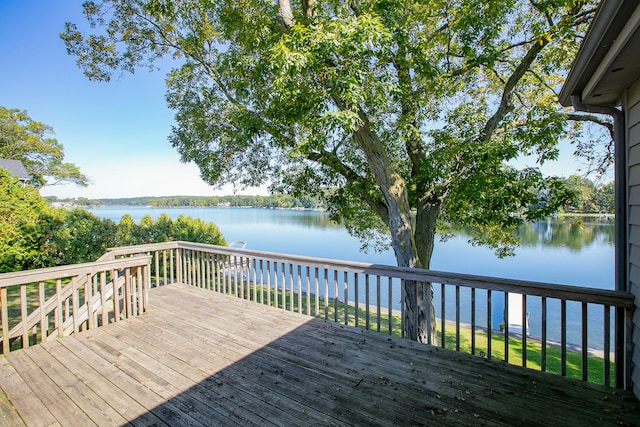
(595, 365)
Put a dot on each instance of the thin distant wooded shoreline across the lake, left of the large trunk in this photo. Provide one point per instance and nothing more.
(271, 201)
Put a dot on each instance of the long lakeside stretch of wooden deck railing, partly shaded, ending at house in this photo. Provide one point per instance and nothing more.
(572, 332)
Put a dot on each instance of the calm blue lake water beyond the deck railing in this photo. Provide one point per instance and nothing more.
(565, 250)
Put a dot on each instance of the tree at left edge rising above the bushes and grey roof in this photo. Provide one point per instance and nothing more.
(24, 139)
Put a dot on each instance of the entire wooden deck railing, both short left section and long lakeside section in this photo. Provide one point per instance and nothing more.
(567, 330)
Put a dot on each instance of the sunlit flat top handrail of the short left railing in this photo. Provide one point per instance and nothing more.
(52, 273)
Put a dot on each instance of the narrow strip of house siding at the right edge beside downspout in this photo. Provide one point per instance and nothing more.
(632, 116)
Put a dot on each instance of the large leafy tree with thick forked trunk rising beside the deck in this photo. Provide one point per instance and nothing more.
(400, 113)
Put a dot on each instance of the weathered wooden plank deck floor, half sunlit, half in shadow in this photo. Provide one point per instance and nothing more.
(198, 358)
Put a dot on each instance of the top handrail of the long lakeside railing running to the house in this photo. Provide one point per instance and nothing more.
(614, 298)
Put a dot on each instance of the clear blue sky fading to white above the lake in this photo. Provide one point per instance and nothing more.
(116, 132)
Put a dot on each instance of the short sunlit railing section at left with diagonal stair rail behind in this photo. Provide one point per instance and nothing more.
(45, 304)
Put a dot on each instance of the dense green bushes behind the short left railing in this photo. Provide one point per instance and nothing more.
(34, 235)
